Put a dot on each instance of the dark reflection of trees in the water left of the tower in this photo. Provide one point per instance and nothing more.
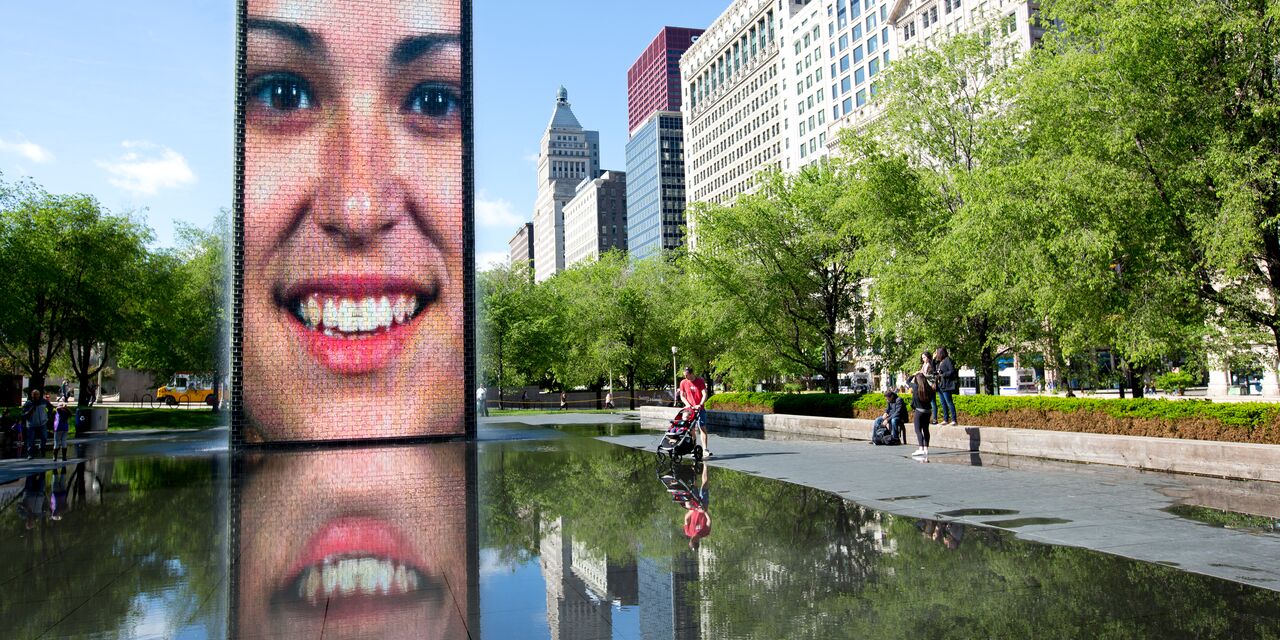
(154, 536)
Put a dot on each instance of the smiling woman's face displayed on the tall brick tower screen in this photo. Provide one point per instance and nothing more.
(354, 303)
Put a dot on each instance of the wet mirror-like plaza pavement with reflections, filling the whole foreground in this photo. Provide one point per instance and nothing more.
(552, 533)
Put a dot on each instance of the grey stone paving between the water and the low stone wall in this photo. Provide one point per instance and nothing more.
(1112, 510)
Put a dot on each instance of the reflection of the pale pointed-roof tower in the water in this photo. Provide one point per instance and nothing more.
(573, 610)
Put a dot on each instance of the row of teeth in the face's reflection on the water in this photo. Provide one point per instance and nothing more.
(356, 577)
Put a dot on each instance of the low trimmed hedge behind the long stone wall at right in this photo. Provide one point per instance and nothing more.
(1188, 419)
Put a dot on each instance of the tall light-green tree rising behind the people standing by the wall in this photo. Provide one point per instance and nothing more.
(941, 267)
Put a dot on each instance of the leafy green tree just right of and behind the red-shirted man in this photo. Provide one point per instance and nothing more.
(784, 259)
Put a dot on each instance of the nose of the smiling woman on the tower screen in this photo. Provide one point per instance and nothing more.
(359, 200)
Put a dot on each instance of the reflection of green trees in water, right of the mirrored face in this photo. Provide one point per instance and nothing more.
(787, 561)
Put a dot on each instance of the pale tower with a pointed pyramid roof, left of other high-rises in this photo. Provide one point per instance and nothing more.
(569, 154)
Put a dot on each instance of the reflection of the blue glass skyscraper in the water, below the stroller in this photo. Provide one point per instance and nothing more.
(669, 598)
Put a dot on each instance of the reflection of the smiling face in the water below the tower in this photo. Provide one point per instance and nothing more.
(362, 543)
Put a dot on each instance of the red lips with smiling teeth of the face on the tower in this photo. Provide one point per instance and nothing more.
(355, 324)
